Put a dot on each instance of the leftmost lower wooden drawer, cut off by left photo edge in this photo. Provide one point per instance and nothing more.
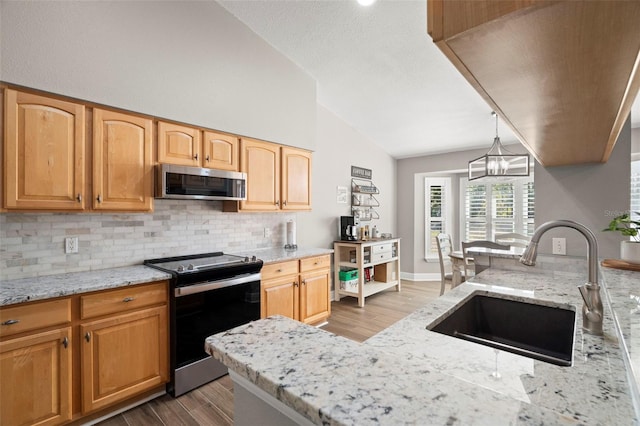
(17, 319)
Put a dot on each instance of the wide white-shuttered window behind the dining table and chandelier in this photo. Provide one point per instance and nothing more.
(492, 208)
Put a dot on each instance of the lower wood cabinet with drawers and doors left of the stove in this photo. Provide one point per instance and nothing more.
(119, 339)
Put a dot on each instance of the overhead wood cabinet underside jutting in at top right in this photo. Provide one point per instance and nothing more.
(562, 75)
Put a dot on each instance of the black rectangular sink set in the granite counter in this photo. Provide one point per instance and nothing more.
(540, 331)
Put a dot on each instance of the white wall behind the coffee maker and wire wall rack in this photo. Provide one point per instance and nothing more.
(339, 146)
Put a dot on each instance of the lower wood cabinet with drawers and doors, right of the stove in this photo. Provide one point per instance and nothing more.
(298, 289)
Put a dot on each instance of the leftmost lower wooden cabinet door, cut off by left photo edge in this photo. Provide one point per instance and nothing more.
(35, 379)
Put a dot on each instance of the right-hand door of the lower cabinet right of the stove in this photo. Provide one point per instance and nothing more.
(314, 297)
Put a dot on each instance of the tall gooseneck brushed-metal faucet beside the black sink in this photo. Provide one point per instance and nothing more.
(592, 312)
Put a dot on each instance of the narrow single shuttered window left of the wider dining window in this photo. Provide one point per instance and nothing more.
(437, 212)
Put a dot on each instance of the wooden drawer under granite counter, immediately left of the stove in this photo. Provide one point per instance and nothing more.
(114, 301)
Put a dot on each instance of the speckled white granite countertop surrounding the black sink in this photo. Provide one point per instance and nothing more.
(408, 374)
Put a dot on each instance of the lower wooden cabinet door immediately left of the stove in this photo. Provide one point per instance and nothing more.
(123, 355)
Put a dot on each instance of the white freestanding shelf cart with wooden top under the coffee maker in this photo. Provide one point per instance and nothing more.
(383, 255)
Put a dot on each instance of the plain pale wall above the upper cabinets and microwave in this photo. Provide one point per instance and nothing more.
(189, 61)
